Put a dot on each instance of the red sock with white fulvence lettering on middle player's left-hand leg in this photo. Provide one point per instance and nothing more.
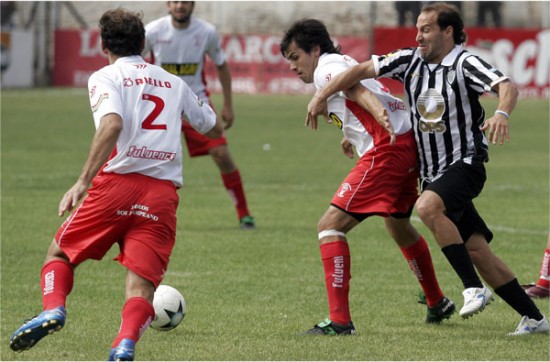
(337, 267)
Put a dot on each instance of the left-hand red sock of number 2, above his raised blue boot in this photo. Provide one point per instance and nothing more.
(56, 281)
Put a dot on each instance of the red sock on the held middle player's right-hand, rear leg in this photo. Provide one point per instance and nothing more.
(420, 262)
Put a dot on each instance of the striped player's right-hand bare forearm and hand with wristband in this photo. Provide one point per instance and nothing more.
(497, 125)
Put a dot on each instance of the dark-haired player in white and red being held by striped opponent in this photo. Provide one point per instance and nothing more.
(383, 182)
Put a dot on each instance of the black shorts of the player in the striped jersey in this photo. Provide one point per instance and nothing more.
(457, 187)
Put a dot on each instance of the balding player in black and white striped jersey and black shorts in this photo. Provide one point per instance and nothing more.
(443, 83)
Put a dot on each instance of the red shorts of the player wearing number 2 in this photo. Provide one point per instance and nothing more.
(136, 211)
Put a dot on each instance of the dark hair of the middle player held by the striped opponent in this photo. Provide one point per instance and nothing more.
(308, 33)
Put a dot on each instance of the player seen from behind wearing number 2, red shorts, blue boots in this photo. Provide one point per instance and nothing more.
(134, 167)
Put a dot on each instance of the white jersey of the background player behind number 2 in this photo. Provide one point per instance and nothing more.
(182, 51)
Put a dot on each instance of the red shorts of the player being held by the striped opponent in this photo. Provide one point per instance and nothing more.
(383, 182)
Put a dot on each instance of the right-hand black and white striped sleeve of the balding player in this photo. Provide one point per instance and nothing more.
(480, 75)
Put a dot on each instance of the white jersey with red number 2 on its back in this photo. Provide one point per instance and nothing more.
(151, 103)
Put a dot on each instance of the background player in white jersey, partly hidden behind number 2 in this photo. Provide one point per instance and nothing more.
(179, 42)
